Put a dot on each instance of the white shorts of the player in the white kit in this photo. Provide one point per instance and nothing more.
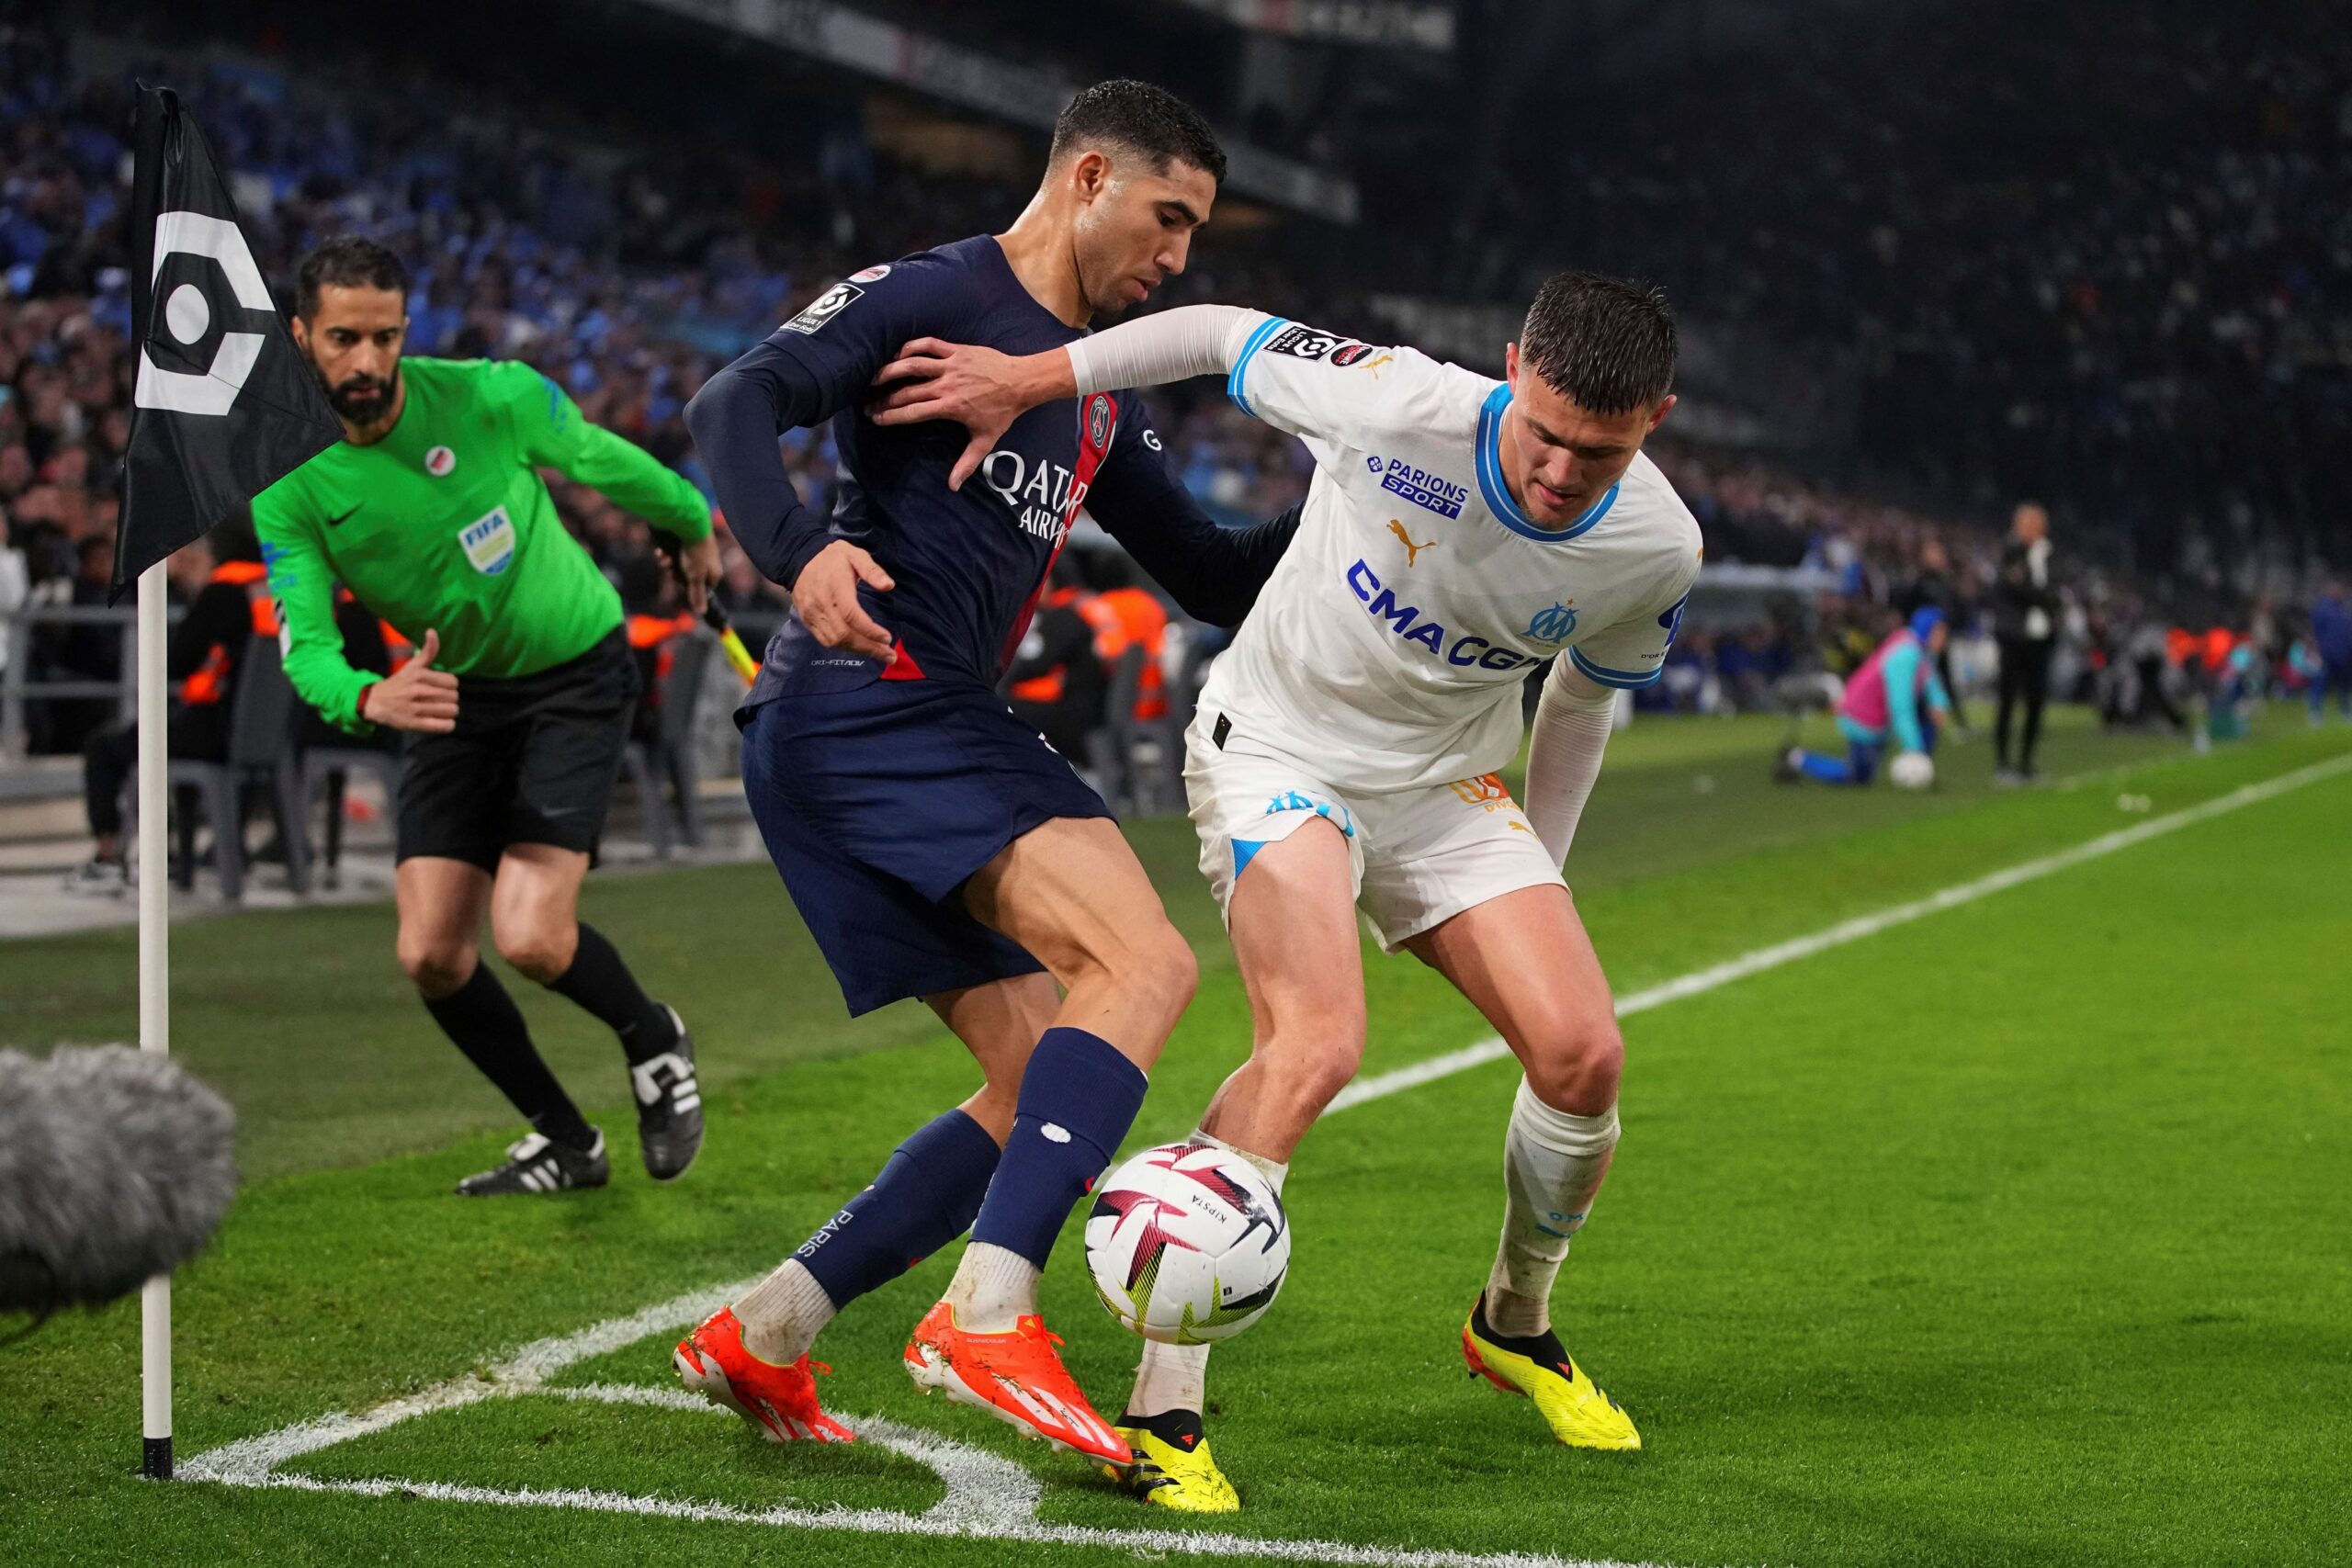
(1419, 857)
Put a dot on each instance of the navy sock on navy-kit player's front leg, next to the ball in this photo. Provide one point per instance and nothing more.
(1078, 1099)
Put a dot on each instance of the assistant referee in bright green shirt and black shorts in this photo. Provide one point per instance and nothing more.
(521, 695)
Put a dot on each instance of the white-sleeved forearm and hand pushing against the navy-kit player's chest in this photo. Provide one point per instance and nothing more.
(987, 391)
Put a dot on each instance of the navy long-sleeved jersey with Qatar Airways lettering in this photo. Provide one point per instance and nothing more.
(968, 565)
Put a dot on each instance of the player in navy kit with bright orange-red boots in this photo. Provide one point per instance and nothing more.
(937, 845)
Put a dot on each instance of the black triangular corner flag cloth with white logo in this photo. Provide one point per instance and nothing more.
(225, 403)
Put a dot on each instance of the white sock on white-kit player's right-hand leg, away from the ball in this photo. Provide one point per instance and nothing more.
(1553, 1167)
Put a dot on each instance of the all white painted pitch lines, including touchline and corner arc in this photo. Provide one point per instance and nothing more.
(994, 1499)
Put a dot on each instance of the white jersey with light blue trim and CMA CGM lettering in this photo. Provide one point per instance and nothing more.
(1391, 645)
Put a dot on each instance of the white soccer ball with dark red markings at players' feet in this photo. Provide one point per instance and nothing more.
(1187, 1245)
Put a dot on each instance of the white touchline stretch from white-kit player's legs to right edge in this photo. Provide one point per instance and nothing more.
(1756, 963)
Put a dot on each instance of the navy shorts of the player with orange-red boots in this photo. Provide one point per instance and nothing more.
(878, 805)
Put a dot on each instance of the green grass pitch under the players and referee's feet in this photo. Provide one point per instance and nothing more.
(2012, 1235)
